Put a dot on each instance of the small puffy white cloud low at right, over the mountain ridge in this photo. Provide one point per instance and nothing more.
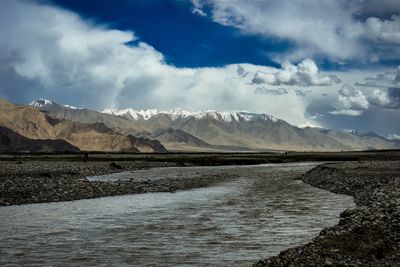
(350, 102)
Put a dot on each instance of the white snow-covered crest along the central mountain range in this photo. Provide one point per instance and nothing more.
(175, 114)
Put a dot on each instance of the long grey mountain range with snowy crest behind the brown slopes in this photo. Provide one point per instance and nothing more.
(182, 130)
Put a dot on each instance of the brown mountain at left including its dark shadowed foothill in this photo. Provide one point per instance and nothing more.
(34, 127)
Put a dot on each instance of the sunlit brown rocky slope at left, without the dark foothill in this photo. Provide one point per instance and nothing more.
(33, 123)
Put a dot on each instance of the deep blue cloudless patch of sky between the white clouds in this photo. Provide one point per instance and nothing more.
(186, 40)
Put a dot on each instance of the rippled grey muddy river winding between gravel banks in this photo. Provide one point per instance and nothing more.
(259, 212)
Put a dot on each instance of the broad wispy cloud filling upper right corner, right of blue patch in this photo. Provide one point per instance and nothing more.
(336, 29)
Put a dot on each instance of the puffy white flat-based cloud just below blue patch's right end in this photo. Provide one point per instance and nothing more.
(306, 73)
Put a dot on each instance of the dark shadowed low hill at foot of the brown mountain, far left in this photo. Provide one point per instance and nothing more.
(10, 141)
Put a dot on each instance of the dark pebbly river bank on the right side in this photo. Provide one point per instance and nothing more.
(366, 236)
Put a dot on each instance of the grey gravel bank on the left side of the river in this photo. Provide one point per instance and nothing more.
(37, 181)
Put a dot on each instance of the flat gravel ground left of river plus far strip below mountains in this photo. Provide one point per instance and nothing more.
(27, 178)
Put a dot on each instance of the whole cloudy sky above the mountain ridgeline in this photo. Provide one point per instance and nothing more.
(325, 63)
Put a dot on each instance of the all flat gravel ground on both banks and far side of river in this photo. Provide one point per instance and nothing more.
(366, 236)
